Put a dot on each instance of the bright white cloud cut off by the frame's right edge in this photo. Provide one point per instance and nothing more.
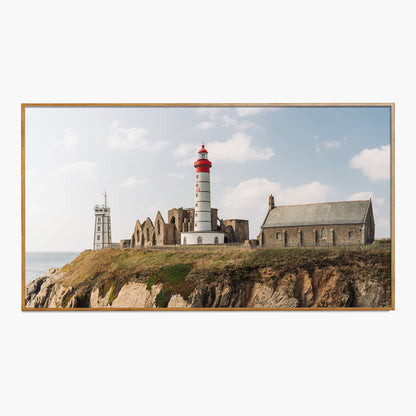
(374, 163)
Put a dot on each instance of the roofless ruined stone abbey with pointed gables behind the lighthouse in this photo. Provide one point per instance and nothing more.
(161, 233)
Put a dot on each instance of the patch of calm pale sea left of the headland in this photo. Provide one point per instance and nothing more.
(38, 262)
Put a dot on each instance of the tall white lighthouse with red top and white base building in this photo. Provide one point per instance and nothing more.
(203, 233)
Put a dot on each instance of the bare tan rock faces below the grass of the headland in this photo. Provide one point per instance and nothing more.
(324, 288)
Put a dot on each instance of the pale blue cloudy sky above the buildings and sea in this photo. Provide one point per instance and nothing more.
(143, 158)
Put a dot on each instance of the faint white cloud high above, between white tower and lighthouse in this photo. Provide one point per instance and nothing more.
(131, 138)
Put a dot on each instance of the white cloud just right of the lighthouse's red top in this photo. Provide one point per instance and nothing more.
(238, 149)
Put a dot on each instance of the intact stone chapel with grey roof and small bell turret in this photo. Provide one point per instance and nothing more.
(324, 224)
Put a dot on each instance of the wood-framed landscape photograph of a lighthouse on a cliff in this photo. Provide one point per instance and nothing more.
(208, 207)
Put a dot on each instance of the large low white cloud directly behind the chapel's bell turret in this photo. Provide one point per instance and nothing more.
(249, 199)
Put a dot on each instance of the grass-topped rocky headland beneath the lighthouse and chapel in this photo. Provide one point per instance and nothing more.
(268, 279)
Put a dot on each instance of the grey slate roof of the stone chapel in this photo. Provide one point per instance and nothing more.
(327, 213)
